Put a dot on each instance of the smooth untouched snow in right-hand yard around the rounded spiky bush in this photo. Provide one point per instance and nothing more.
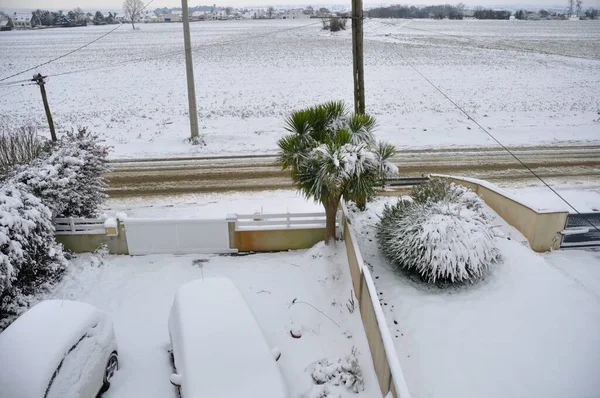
(530, 329)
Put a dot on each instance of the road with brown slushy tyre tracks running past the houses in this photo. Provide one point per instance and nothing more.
(141, 177)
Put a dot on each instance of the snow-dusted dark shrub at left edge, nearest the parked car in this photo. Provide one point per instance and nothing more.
(30, 258)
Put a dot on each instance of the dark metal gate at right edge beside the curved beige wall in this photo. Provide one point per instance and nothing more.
(578, 231)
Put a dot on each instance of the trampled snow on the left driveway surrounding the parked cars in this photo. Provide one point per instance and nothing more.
(138, 291)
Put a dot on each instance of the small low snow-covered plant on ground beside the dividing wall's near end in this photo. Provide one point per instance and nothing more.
(344, 371)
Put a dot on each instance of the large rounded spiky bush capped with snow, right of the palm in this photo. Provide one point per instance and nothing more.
(441, 241)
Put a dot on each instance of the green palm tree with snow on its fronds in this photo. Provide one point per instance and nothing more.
(331, 154)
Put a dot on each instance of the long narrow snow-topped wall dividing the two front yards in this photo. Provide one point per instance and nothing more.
(385, 359)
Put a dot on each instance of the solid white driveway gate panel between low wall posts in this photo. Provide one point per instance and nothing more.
(177, 236)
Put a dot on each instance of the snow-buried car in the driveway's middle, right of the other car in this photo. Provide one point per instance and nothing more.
(218, 347)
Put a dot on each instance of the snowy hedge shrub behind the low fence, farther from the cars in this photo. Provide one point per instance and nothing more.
(70, 180)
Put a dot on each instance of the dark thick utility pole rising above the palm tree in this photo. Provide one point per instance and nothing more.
(357, 56)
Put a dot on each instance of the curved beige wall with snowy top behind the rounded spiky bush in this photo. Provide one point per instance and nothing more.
(542, 229)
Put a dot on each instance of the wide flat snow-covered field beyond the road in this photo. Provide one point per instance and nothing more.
(529, 82)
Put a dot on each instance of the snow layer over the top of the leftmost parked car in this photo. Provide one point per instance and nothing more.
(32, 347)
